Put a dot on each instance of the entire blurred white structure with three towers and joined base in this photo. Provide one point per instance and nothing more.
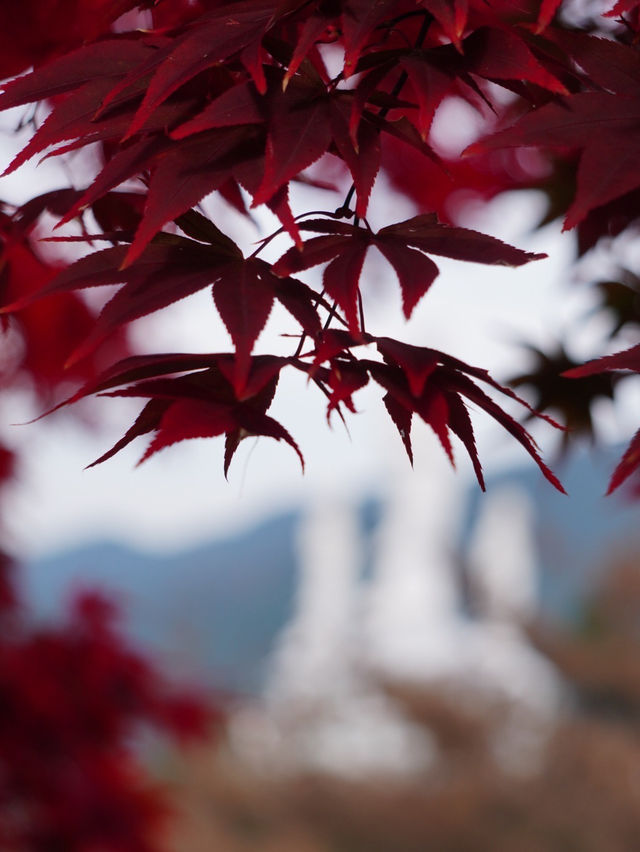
(406, 623)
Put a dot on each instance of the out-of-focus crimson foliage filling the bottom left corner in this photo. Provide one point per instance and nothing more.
(73, 701)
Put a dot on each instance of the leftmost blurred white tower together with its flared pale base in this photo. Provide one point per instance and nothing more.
(324, 713)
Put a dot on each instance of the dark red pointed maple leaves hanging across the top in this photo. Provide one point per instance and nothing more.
(182, 100)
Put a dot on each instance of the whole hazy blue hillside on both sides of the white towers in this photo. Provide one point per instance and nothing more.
(214, 612)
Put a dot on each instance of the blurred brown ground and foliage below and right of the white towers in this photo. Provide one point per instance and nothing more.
(580, 791)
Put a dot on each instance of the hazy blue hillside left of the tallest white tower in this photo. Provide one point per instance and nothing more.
(211, 612)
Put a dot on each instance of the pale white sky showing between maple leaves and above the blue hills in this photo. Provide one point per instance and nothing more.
(180, 496)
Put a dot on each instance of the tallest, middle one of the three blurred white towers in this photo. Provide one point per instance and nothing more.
(412, 605)
